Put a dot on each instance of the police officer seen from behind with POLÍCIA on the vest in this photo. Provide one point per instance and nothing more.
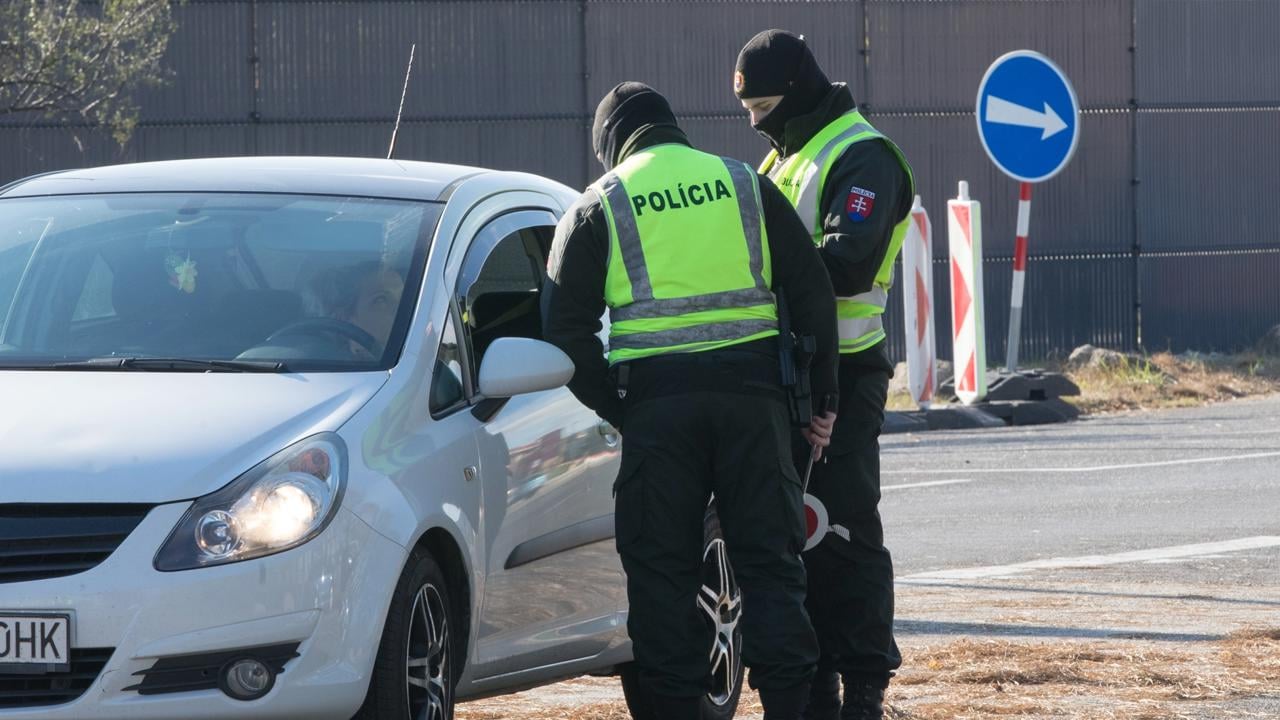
(685, 249)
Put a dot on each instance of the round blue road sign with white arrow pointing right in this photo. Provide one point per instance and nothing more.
(1028, 116)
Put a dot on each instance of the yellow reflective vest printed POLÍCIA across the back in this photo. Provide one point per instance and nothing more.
(689, 259)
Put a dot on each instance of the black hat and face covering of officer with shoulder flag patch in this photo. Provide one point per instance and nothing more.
(779, 63)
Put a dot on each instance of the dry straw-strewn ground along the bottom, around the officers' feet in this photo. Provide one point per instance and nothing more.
(975, 680)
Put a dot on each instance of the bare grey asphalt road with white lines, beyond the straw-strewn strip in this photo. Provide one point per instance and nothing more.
(1142, 482)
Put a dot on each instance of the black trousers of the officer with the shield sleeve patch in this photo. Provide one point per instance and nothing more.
(851, 572)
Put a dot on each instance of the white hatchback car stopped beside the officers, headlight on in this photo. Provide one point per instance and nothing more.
(278, 440)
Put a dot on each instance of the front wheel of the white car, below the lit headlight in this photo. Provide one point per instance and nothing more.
(422, 649)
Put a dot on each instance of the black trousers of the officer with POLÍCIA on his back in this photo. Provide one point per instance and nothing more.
(698, 425)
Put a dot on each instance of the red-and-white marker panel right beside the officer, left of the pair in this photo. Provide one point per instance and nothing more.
(918, 308)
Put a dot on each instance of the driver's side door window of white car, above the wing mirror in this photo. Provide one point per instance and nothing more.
(502, 279)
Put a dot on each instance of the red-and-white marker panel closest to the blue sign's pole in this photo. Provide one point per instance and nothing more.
(968, 335)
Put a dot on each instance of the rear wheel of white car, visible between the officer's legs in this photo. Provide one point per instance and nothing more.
(721, 603)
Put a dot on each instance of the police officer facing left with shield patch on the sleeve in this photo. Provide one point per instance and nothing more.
(853, 189)
